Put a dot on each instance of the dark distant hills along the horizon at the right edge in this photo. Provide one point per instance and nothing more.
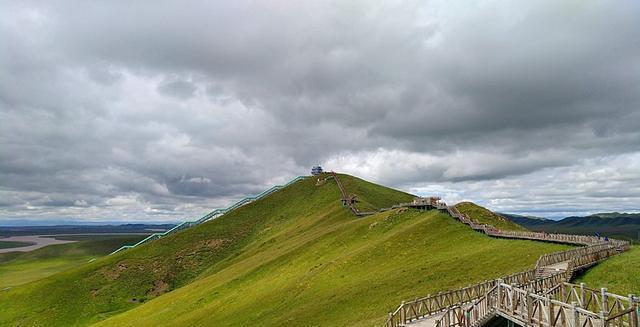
(614, 224)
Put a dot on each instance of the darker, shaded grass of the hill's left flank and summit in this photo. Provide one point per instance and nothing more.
(117, 283)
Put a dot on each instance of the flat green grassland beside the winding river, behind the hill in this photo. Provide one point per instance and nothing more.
(18, 268)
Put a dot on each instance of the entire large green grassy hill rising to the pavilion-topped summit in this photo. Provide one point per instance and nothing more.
(296, 257)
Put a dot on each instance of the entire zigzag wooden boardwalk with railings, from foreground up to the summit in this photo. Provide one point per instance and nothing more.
(537, 297)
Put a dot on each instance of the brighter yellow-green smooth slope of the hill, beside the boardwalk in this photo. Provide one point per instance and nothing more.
(344, 271)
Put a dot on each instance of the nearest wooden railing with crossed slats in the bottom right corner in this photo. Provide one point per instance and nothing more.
(566, 305)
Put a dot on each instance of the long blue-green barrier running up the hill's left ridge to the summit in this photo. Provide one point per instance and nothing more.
(211, 215)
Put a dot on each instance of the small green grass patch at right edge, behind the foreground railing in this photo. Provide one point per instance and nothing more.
(620, 274)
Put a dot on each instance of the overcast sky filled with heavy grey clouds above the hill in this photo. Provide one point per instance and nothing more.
(163, 110)
